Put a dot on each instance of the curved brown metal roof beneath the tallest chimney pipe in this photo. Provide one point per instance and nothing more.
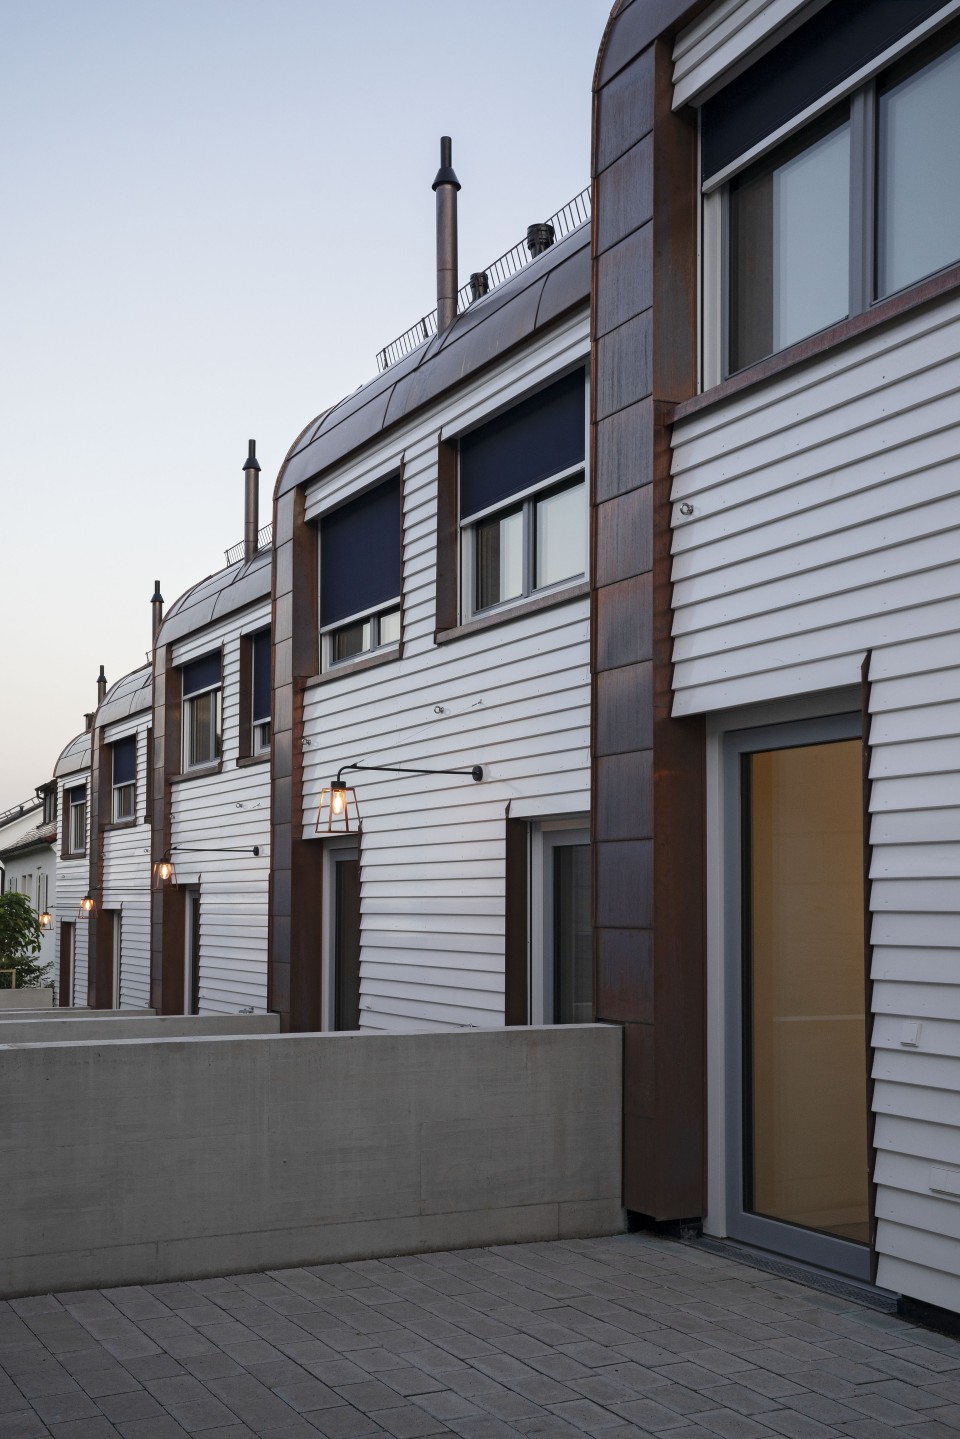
(546, 289)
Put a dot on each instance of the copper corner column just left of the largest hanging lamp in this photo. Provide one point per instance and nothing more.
(296, 894)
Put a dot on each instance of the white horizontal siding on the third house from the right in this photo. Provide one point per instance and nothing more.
(227, 811)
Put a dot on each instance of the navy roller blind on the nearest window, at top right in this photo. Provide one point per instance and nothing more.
(820, 55)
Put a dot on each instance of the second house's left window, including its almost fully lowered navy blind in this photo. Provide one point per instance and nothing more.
(361, 575)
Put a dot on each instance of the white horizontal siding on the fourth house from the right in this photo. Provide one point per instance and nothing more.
(127, 871)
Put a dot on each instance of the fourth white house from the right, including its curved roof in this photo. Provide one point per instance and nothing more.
(122, 817)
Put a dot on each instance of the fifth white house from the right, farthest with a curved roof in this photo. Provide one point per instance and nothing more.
(73, 776)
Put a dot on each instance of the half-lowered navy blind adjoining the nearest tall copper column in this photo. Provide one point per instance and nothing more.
(538, 438)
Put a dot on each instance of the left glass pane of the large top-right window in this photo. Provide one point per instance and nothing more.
(789, 247)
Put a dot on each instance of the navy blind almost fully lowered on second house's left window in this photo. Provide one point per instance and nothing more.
(361, 555)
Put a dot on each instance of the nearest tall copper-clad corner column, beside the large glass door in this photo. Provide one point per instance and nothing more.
(648, 769)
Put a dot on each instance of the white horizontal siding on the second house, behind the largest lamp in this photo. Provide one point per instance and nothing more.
(515, 699)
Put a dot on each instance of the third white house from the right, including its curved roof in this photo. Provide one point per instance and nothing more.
(212, 786)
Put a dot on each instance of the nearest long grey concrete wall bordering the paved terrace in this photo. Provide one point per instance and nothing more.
(139, 1162)
